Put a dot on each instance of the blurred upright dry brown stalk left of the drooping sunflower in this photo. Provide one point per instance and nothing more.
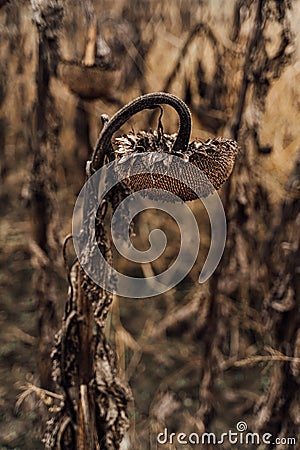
(47, 17)
